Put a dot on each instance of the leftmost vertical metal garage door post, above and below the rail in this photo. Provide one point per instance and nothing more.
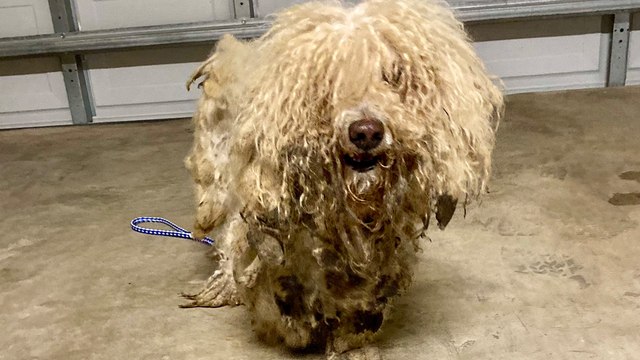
(74, 71)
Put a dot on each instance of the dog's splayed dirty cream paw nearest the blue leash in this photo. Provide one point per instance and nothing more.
(220, 290)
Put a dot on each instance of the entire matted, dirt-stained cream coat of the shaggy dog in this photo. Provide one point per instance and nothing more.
(315, 233)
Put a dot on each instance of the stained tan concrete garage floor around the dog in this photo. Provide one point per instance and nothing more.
(547, 267)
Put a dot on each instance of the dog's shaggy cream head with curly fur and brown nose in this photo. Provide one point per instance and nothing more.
(381, 107)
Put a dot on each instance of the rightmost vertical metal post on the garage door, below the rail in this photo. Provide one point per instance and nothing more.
(619, 49)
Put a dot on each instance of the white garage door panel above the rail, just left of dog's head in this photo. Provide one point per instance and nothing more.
(108, 14)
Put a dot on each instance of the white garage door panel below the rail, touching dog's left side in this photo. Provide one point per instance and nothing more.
(145, 84)
